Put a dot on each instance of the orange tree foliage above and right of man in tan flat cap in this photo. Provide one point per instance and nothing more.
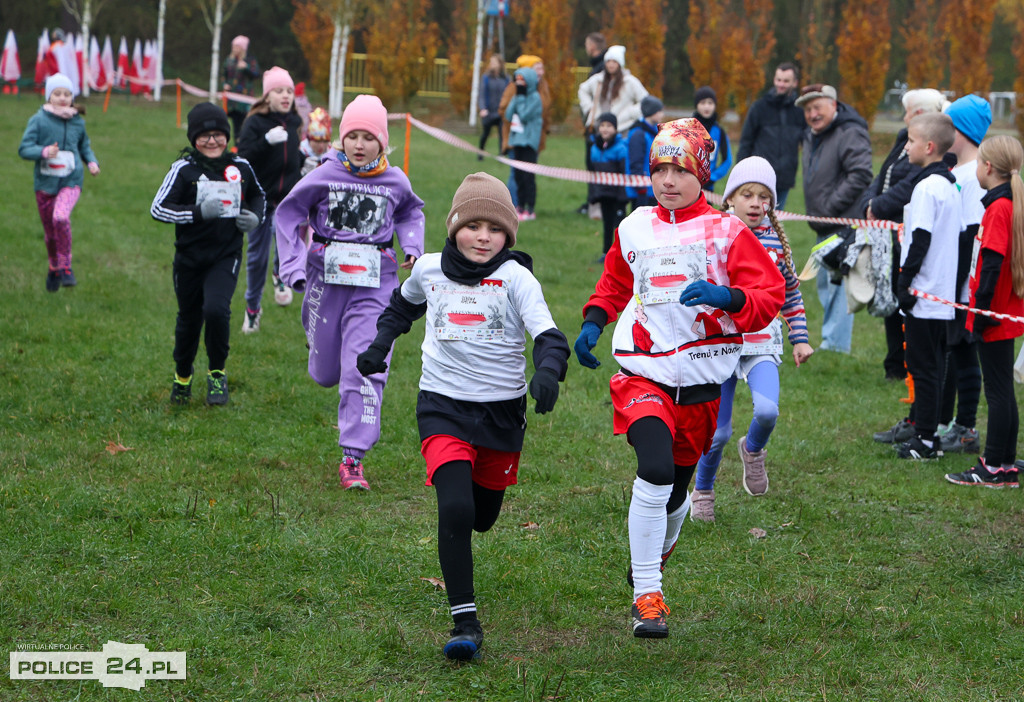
(864, 56)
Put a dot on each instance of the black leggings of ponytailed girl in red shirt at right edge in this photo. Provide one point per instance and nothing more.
(998, 370)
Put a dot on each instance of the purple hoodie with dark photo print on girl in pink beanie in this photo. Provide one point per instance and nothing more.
(344, 207)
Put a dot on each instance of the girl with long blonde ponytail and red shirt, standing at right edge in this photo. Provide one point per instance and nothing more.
(998, 286)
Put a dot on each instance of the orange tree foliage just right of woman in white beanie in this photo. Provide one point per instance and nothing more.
(642, 31)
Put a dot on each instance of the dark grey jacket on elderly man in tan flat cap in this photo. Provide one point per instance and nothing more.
(837, 166)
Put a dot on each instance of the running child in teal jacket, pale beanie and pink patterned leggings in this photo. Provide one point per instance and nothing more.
(56, 140)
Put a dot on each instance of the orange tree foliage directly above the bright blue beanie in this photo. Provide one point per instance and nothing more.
(969, 27)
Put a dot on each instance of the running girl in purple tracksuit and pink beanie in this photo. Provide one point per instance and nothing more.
(357, 206)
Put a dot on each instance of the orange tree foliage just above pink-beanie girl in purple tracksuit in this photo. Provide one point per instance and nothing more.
(402, 47)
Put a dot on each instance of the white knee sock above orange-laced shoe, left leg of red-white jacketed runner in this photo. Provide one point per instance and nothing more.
(648, 524)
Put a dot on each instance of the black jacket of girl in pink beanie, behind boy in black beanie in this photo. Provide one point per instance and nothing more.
(278, 166)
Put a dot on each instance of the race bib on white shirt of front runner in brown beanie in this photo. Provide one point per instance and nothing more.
(471, 313)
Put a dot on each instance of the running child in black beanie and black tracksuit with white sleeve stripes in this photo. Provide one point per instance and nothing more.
(212, 198)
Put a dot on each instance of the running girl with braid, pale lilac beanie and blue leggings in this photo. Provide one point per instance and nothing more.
(751, 193)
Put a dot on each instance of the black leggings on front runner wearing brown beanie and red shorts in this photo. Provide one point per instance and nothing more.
(463, 507)
